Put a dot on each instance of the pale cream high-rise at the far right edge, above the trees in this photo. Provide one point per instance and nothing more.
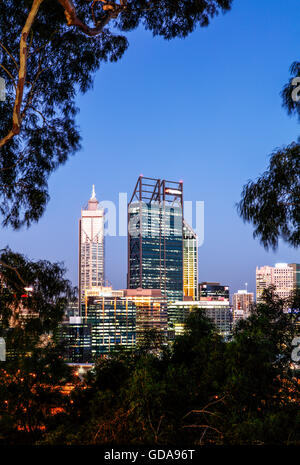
(285, 277)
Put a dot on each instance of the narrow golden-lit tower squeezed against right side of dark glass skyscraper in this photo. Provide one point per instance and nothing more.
(190, 262)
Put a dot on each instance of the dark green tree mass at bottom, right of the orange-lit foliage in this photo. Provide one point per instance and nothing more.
(202, 390)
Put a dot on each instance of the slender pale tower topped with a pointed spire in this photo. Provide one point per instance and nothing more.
(91, 247)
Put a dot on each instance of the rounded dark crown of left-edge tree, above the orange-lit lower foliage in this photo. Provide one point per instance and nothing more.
(33, 296)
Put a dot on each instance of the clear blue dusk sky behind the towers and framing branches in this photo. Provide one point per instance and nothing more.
(206, 110)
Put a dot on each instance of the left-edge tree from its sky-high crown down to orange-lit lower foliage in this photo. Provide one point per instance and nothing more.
(33, 297)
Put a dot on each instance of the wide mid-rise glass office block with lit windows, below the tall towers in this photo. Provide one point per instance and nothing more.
(121, 317)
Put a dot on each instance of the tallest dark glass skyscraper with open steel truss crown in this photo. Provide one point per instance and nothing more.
(155, 237)
